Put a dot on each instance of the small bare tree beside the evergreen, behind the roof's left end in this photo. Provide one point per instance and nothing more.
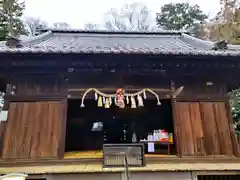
(34, 26)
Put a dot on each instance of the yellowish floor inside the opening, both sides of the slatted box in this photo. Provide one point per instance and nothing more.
(98, 154)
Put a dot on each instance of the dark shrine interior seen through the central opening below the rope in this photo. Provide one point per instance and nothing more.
(116, 121)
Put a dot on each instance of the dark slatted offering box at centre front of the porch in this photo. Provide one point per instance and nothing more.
(114, 155)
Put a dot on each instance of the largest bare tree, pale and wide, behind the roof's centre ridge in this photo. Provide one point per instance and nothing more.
(131, 17)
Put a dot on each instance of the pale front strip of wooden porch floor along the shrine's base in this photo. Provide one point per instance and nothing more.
(91, 168)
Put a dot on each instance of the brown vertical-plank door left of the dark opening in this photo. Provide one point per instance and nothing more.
(35, 130)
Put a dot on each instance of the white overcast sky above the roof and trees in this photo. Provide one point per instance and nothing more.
(79, 12)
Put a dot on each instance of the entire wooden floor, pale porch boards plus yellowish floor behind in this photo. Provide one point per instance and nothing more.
(75, 163)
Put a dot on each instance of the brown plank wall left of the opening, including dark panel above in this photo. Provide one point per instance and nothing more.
(36, 122)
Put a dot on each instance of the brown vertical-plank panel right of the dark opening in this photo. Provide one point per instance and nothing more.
(204, 128)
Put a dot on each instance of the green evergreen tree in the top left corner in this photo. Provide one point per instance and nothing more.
(10, 14)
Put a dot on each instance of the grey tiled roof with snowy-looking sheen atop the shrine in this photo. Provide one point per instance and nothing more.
(56, 41)
